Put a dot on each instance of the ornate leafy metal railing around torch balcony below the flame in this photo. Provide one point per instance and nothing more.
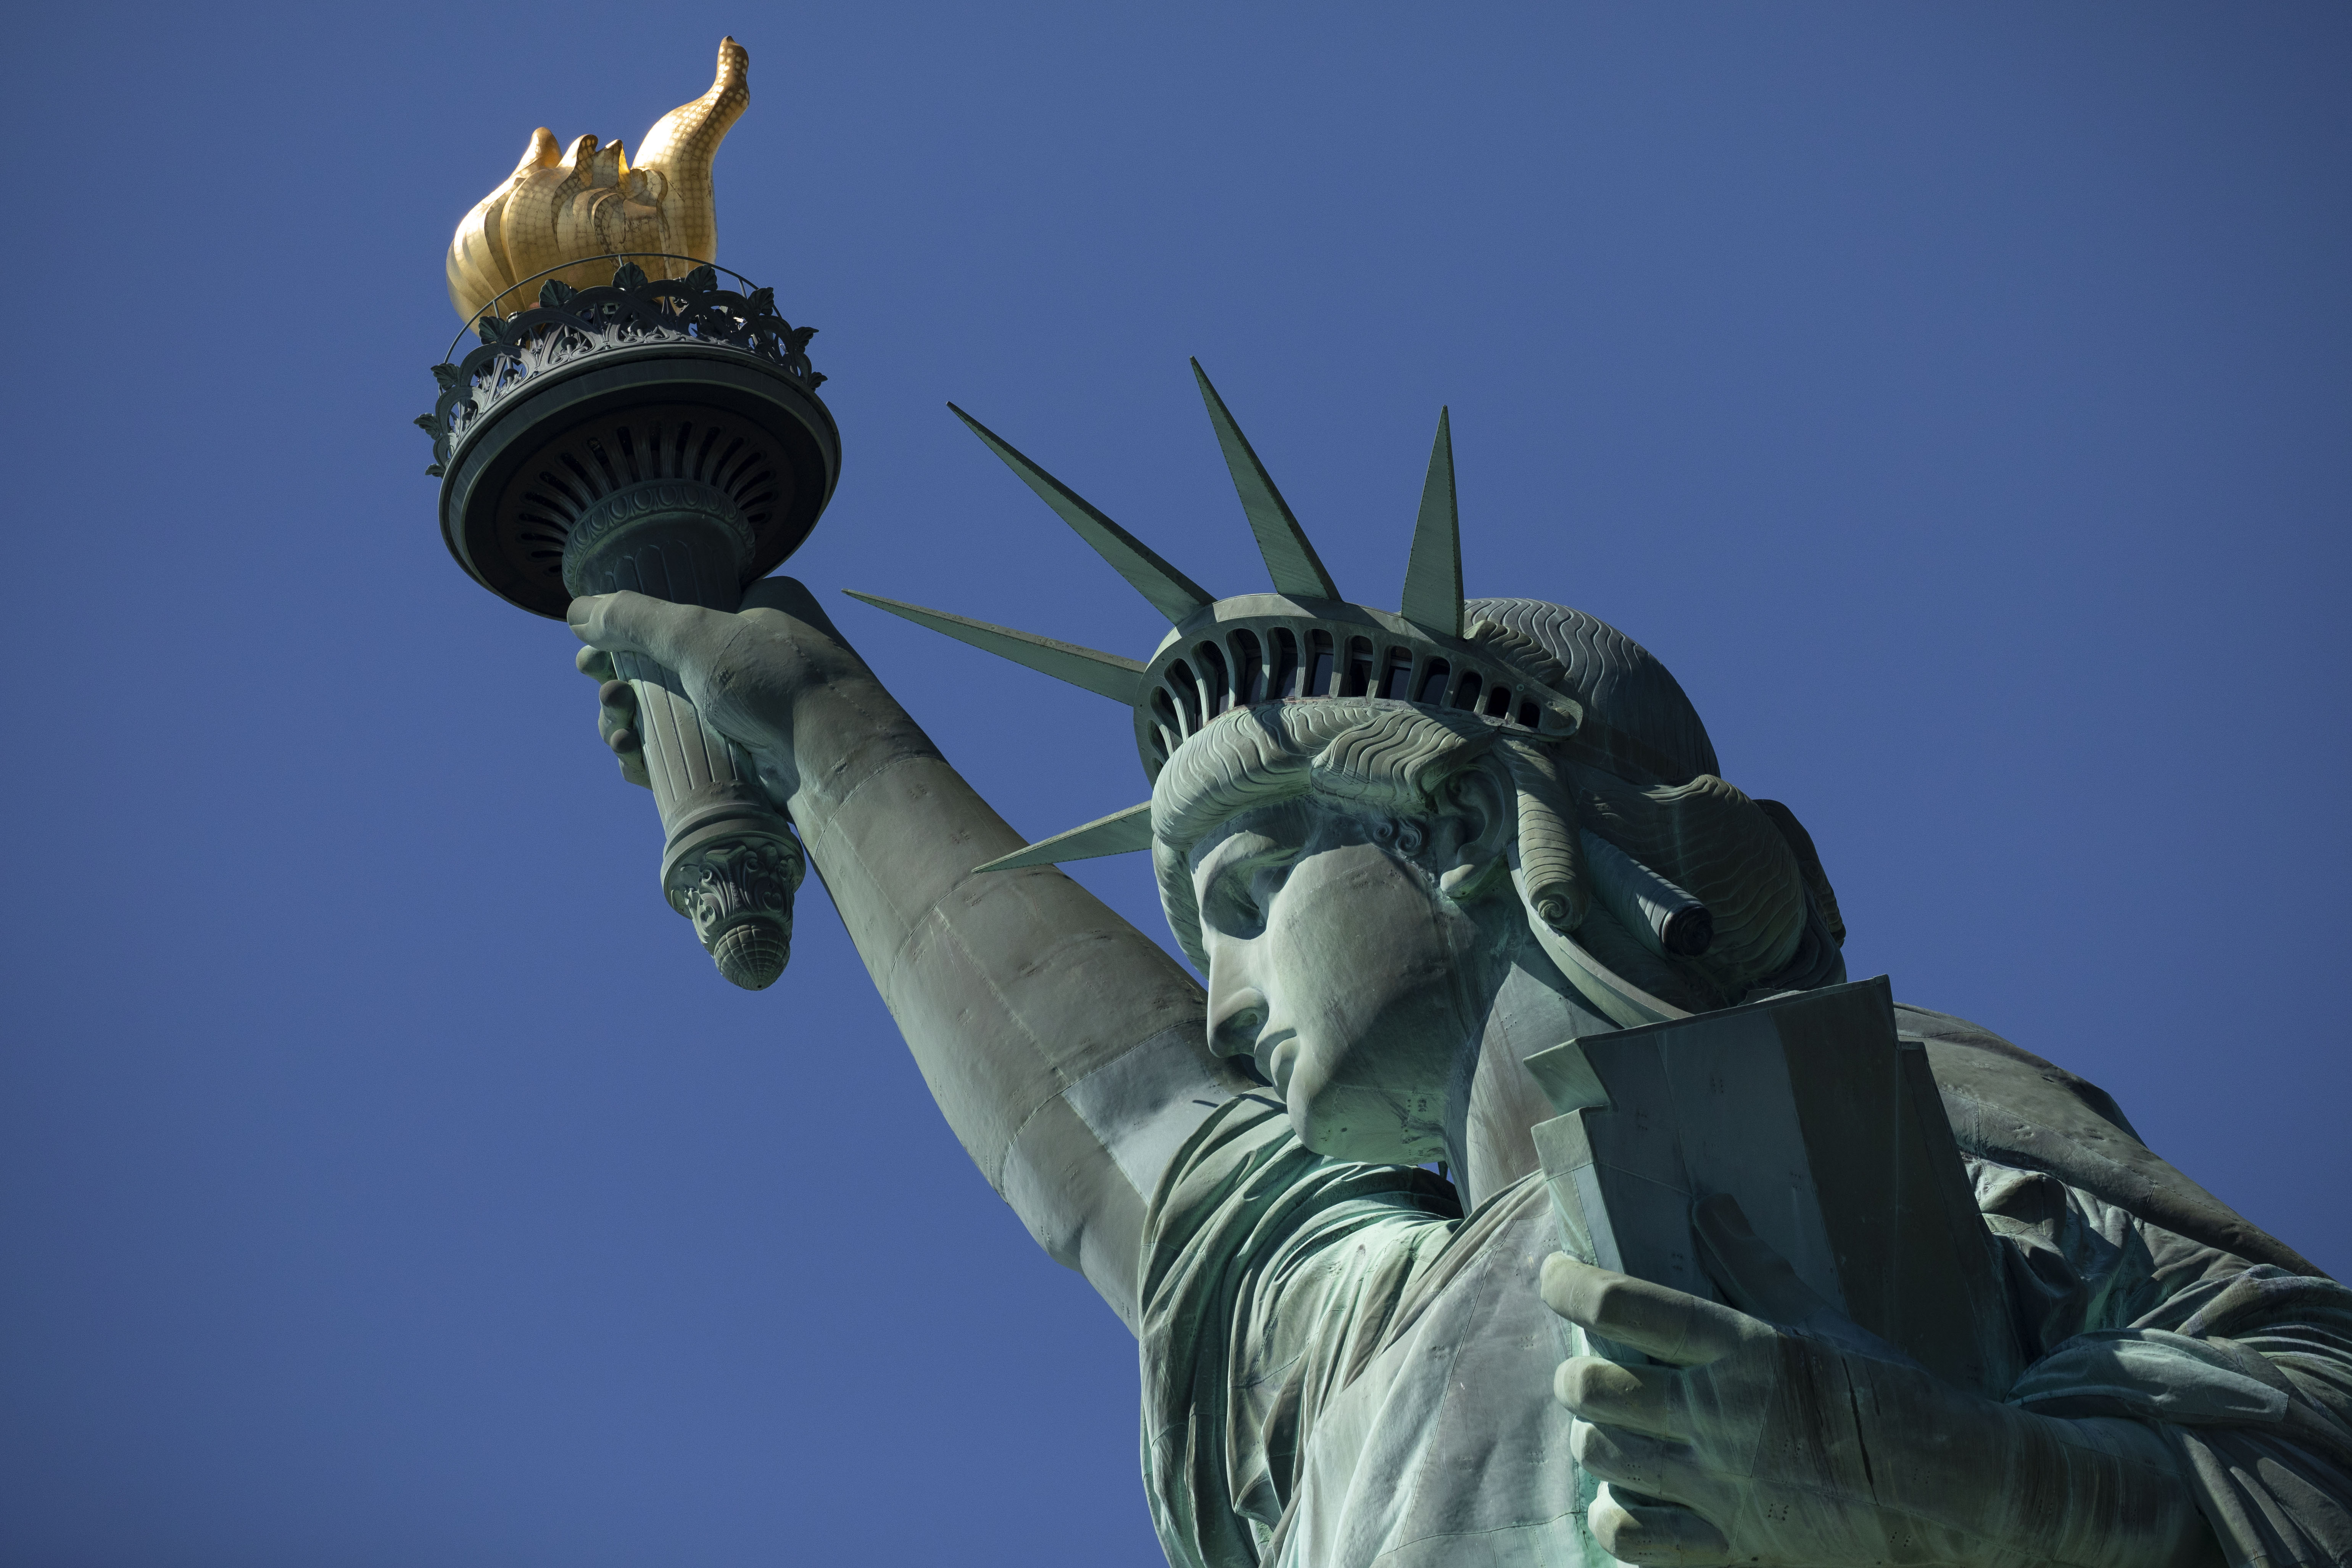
(634, 311)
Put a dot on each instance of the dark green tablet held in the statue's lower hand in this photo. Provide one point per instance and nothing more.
(1829, 1132)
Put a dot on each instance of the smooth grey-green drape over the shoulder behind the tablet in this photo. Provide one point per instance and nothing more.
(2022, 1111)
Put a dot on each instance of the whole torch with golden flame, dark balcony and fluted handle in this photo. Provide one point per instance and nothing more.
(657, 434)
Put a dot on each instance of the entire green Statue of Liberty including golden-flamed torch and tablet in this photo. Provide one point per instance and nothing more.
(1434, 864)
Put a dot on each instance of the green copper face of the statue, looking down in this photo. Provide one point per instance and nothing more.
(1344, 972)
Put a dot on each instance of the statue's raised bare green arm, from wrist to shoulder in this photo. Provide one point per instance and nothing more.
(1064, 1047)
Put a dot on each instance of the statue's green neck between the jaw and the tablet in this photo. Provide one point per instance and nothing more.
(1495, 1101)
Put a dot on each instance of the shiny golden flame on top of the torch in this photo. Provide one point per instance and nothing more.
(589, 201)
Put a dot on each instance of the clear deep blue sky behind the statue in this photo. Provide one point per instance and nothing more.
(1953, 396)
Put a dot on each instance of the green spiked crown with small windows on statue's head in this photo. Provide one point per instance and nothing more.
(1299, 643)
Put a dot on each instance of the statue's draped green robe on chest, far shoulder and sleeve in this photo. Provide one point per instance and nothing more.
(1347, 1372)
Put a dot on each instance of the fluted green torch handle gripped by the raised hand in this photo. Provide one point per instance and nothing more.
(730, 862)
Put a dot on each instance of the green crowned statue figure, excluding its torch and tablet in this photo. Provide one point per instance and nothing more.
(1410, 850)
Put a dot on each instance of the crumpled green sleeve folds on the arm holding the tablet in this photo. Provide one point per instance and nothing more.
(2243, 1369)
